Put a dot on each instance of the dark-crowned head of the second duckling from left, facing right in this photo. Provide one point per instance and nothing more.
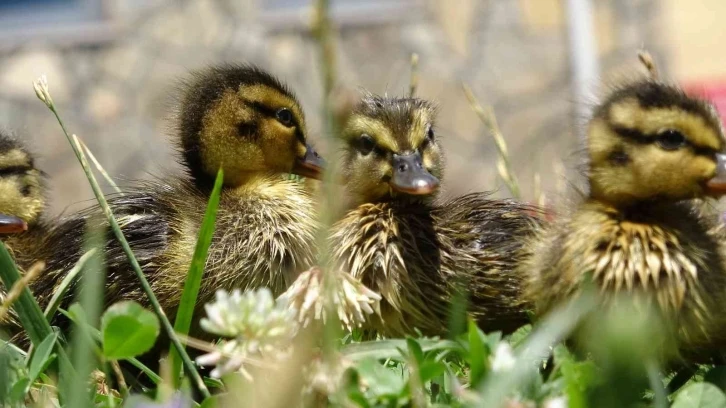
(243, 120)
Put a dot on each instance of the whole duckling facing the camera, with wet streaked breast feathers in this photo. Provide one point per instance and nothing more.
(417, 252)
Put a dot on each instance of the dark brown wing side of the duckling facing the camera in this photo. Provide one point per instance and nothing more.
(481, 241)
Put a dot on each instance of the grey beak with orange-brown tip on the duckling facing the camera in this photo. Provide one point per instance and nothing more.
(411, 177)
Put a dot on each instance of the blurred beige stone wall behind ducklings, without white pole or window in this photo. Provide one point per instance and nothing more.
(513, 53)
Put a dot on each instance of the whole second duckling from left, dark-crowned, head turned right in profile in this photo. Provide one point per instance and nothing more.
(237, 118)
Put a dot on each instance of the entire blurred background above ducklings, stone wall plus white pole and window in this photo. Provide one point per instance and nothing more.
(112, 66)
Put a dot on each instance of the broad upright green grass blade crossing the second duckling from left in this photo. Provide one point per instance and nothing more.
(196, 270)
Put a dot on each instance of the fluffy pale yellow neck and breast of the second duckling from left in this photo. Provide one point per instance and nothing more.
(265, 235)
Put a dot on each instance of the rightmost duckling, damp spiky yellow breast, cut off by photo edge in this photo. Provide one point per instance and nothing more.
(654, 154)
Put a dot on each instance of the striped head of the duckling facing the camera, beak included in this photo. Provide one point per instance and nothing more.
(391, 150)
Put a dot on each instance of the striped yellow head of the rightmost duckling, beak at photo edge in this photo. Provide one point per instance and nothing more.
(651, 141)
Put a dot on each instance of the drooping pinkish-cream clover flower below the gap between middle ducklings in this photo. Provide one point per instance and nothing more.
(352, 300)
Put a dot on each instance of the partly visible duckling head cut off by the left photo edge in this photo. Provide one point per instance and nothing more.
(21, 187)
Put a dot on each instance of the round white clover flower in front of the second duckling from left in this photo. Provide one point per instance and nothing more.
(257, 324)
